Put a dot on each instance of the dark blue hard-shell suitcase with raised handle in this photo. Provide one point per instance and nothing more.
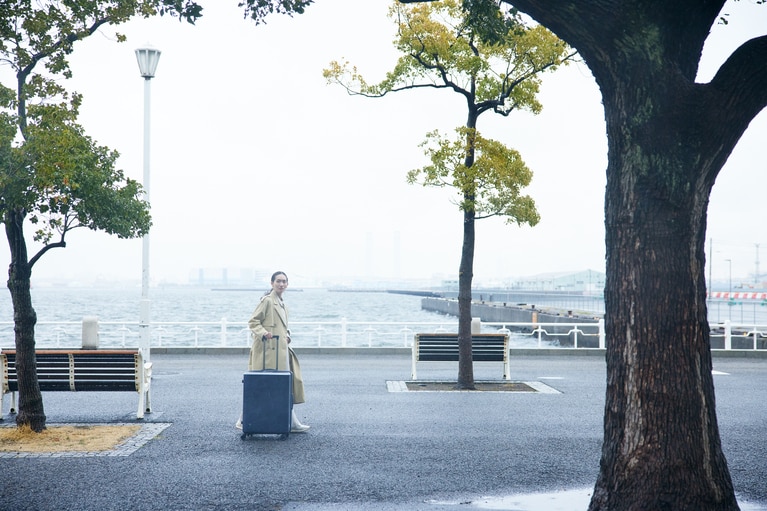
(267, 400)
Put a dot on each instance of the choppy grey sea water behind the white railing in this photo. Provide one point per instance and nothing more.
(204, 317)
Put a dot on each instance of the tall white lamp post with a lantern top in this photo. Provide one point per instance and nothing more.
(147, 58)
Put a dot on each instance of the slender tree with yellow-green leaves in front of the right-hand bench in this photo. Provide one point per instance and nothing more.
(441, 49)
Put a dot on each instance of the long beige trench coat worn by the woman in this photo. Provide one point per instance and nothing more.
(272, 316)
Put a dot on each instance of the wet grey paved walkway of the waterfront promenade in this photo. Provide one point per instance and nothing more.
(370, 448)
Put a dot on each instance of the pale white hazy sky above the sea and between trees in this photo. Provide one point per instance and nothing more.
(257, 163)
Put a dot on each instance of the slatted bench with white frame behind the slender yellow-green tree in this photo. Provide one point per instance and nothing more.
(444, 347)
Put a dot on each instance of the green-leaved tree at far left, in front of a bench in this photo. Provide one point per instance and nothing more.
(51, 174)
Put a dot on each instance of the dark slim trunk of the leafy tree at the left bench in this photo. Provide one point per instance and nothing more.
(31, 410)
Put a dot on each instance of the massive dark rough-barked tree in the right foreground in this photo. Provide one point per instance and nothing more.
(668, 137)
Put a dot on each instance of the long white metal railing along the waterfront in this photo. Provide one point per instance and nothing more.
(202, 334)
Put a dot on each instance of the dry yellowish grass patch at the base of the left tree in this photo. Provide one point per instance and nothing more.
(88, 438)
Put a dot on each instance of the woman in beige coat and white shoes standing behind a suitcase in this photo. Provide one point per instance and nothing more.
(270, 319)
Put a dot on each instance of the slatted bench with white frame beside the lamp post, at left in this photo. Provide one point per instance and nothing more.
(82, 370)
